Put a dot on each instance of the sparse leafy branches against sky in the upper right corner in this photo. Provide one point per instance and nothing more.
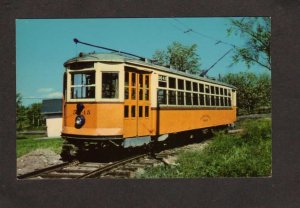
(257, 31)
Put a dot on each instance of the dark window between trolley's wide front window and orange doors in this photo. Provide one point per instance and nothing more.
(110, 85)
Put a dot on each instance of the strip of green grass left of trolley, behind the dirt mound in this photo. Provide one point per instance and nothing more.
(28, 143)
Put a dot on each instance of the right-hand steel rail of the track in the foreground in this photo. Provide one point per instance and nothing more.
(108, 167)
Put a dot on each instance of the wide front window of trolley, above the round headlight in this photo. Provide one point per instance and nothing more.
(83, 85)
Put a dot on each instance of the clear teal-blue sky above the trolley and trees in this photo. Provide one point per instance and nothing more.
(43, 45)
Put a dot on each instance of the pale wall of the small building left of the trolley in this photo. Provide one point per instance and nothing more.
(54, 126)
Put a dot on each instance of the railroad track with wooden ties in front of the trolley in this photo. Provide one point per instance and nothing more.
(78, 170)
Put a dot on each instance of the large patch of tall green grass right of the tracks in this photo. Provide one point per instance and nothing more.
(245, 155)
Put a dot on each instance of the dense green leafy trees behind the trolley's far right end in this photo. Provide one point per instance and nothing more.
(253, 91)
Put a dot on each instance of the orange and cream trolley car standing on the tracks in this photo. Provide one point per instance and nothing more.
(113, 99)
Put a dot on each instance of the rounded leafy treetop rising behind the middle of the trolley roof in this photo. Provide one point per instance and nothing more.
(181, 57)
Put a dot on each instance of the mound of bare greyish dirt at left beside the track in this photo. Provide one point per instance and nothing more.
(37, 159)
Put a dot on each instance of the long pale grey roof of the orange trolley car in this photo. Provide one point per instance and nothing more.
(117, 57)
